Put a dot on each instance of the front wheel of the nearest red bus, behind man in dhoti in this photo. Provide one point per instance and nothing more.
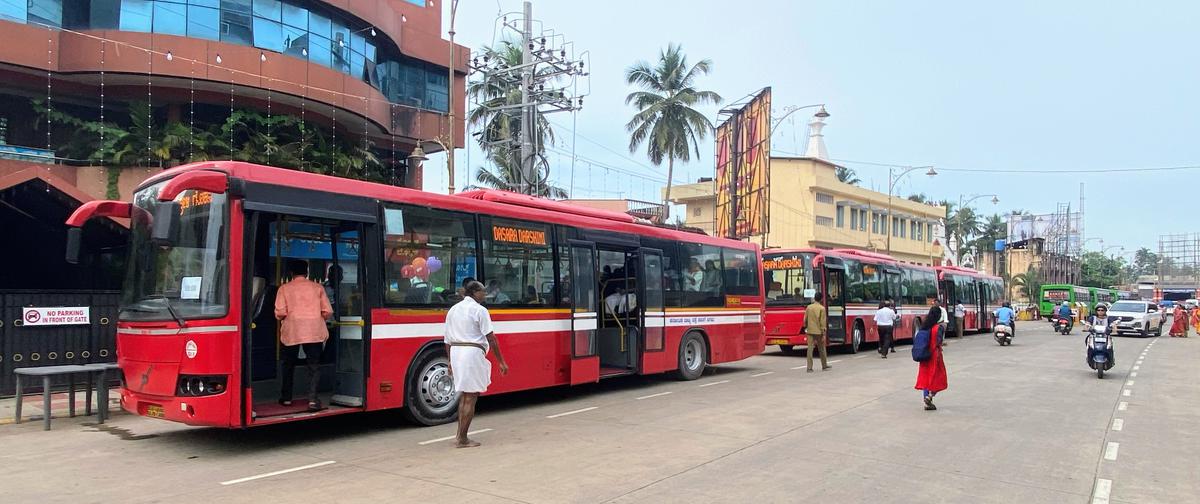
(430, 398)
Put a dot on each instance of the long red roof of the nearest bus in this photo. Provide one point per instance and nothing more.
(497, 203)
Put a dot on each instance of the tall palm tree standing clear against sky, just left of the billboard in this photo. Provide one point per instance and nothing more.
(667, 121)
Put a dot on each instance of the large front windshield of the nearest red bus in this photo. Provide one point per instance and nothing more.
(187, 280)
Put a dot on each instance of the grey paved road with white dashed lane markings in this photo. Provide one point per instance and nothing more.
(1028, 424)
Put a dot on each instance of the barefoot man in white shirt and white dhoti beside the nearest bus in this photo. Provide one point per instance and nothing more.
(469, 338)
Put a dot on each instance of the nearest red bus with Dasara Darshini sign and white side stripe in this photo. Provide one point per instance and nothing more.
(577, 295)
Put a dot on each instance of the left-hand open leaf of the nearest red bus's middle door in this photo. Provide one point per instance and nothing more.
(584, 293)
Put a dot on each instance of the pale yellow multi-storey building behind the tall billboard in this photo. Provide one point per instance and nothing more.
(811, 208)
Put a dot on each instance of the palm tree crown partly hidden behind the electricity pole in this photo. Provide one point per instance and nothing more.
(495, 91)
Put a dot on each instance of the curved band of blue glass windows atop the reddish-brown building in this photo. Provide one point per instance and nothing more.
(298, 29)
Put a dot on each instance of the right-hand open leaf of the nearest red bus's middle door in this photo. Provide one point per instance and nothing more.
(653, 311)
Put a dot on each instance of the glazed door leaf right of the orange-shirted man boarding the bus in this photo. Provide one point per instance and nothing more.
(349, 328)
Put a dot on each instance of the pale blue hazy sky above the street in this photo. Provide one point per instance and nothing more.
(1037, 88)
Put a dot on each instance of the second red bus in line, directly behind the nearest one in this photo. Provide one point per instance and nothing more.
(856, 284)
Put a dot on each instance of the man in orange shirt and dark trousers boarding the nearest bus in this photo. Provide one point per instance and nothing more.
(303, 309)
